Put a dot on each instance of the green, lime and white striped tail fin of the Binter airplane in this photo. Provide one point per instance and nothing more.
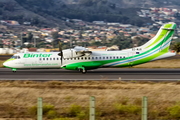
(162, 39)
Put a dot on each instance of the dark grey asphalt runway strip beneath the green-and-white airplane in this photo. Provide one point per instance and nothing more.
(124, 74)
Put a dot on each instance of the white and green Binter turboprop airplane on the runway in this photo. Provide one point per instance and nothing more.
(81, 59)
